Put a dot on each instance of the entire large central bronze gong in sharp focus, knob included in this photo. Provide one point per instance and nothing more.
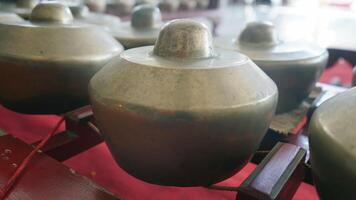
(182, 114)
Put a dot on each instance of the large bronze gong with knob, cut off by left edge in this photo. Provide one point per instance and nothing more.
(46, 63)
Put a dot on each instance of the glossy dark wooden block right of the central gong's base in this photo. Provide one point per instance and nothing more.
(278, 176)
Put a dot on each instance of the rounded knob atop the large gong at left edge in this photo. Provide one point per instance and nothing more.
(51, 12)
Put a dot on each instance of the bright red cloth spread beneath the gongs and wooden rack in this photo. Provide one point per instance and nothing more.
(98, 164)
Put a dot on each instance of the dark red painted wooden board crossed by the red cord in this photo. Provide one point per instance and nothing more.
(44, 178)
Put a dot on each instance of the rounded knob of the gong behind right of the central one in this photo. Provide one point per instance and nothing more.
(259, 33)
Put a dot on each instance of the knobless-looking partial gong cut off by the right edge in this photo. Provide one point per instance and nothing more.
(332, 144)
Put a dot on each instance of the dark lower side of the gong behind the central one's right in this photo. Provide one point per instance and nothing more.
(295, 80)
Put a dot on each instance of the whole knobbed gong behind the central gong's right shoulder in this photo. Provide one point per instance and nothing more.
(293, 66)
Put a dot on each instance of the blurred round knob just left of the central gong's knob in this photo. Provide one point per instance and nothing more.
(145, 16)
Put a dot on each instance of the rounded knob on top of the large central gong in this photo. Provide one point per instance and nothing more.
(184, 38)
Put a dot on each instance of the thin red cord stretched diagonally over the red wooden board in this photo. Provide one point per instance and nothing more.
(7, 187)
